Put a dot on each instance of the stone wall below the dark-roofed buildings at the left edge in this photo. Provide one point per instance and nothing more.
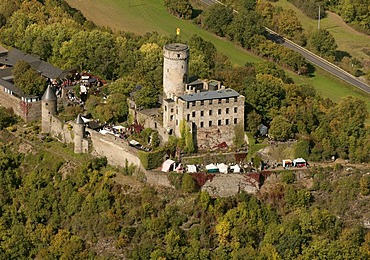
(27, 111)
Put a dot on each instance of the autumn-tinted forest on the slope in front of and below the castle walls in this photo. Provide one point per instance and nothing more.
(54, 204)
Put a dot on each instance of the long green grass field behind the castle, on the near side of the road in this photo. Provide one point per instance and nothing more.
(141, 16)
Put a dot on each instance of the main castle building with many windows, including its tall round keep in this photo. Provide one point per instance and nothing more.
(211, 110)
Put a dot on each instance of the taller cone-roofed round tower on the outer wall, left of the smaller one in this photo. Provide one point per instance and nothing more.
(48, 109)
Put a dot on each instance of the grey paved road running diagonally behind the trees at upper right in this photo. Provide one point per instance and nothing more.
(311, 57)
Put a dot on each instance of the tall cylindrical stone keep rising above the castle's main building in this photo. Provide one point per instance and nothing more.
(175, 69)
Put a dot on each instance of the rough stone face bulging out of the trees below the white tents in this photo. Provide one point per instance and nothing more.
(226, 185)
